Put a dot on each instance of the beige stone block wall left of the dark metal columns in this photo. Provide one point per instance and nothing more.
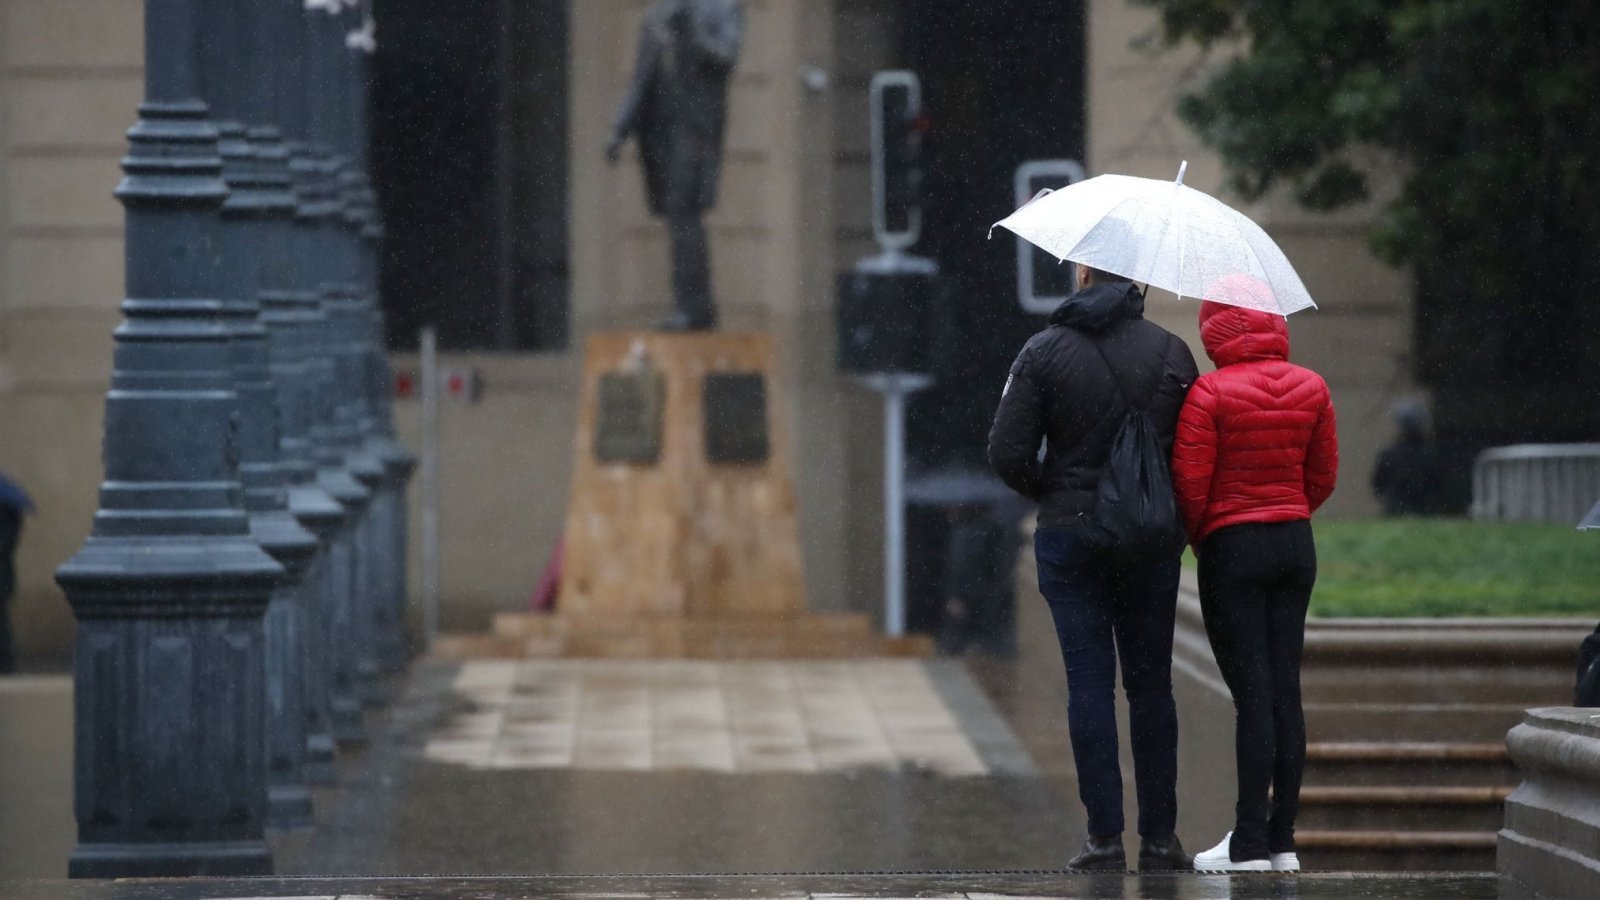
(70, 82)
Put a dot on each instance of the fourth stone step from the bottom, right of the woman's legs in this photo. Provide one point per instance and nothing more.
(1449, 723)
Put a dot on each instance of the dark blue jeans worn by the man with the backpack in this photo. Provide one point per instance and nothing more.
(1105, 611)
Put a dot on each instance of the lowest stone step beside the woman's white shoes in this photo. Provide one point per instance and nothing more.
(1396, 851)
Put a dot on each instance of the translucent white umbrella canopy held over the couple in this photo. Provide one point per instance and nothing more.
(1164, 235)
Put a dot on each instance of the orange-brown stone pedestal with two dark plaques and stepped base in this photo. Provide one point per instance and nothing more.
(682, 534)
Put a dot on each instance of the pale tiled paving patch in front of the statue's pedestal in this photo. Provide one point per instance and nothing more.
(729, 717)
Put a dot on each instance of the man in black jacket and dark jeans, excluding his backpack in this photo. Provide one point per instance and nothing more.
(1063, 392)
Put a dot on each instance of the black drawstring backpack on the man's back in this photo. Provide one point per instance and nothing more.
(1135, 515)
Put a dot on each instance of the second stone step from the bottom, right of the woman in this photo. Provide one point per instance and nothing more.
(1404, 810)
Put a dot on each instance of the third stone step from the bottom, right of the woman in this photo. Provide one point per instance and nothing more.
(1425, 765)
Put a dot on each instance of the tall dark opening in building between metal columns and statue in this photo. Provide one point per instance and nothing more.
(470, 158)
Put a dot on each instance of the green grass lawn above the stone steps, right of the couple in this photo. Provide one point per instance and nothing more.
(1442, 568)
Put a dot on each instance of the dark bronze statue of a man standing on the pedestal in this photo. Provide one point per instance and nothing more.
(678, 105)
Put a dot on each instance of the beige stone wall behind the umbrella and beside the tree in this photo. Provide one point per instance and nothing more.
(1361, 335)
